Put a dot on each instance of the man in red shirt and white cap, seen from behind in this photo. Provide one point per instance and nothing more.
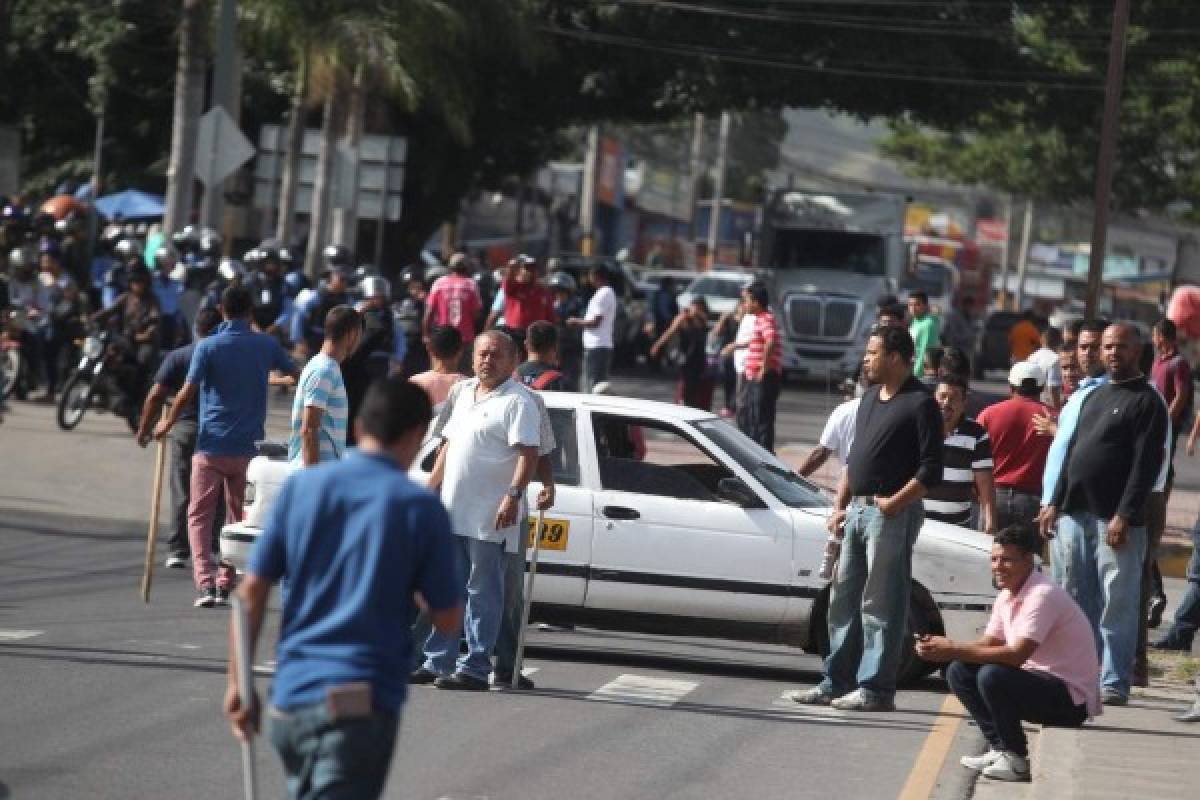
(1018, 450)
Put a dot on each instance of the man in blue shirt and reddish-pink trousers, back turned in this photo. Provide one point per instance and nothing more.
(230, 372)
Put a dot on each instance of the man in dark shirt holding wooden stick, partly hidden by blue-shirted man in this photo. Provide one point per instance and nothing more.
(170, 380)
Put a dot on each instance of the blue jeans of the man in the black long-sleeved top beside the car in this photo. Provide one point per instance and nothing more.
(869, 600)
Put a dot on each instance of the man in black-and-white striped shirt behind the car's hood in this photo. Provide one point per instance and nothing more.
(967, 462)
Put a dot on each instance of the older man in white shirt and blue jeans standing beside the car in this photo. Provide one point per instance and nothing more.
(491, 454)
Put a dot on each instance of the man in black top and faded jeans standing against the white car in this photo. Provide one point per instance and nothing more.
(896, 460)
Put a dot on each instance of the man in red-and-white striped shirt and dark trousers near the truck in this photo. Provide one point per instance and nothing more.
(764, 374)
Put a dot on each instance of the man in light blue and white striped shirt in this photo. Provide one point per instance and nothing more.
(321, 410)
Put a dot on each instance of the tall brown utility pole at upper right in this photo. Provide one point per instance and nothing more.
(1107, 157)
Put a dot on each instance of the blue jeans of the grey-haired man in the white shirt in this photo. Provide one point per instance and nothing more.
(482, 621)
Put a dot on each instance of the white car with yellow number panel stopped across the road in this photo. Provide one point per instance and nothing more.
(669, 520)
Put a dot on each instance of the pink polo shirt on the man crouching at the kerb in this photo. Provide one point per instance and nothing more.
(1045, 613)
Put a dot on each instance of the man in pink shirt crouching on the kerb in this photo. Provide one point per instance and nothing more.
(1036, 661)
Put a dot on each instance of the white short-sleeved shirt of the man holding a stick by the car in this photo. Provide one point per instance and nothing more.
(483, 438)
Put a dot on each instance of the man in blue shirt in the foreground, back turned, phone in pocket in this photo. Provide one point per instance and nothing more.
(355, 539)
